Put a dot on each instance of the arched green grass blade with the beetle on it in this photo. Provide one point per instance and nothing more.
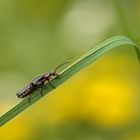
(82, 62)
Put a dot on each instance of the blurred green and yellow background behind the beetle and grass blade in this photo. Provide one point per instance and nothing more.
(102, 101)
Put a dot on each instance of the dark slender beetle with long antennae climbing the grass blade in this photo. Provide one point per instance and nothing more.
(38, 82)
